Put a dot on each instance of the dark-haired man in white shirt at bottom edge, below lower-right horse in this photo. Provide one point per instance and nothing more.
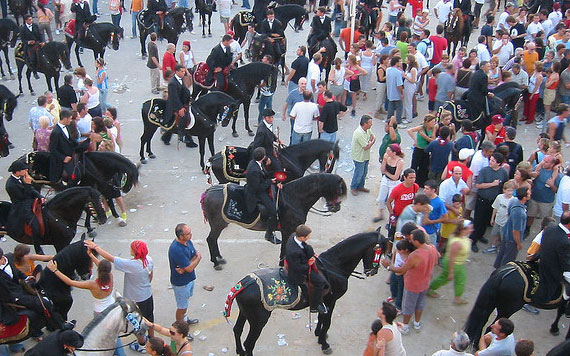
(500, 341)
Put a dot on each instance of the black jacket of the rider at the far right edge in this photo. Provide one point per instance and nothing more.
(554, 257)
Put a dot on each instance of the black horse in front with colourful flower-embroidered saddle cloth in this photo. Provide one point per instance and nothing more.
(336, 264)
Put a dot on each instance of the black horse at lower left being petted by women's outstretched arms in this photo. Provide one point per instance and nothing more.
(71, 261)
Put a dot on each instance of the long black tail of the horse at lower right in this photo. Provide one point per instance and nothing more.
(484, 305)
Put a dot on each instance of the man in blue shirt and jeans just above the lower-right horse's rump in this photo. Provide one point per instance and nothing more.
(513, 231)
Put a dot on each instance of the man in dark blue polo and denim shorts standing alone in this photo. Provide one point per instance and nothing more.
(183, 259)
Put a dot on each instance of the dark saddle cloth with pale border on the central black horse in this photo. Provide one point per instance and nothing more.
(234, 208)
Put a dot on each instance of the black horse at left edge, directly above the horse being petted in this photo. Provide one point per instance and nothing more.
(60, 214)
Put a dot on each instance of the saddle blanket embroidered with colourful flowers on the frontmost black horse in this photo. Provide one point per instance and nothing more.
(276, 292)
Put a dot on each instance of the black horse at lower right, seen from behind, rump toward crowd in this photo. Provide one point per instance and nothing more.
(503, 291)
